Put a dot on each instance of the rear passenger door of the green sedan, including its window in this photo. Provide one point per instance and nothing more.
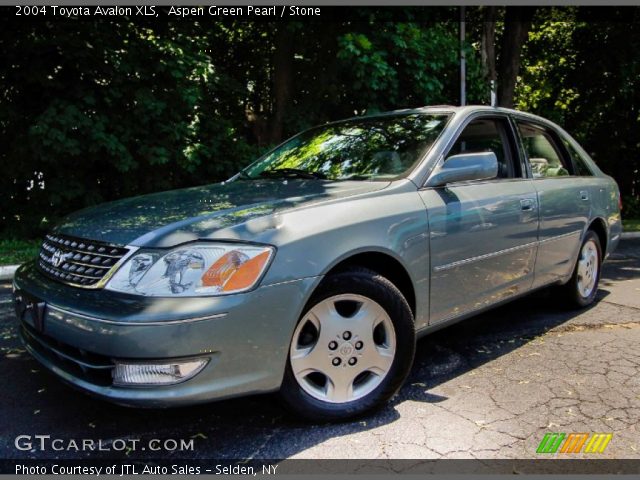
(564, 200)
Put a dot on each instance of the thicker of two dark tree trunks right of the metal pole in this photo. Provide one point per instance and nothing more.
(517, 25)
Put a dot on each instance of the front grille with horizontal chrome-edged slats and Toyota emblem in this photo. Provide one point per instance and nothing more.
(77, 261)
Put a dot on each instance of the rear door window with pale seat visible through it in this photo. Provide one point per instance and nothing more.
(541, 150)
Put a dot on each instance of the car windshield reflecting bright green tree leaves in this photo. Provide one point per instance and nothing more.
(376, 148)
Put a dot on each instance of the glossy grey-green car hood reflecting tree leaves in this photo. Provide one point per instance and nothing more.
(169, 218)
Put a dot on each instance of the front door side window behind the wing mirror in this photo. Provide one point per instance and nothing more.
(486, 135)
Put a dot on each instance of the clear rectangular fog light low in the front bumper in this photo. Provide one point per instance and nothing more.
(156, 373)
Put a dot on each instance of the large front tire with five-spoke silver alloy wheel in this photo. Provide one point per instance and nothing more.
(352, 348)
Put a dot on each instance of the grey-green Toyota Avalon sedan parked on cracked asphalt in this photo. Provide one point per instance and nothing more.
(312, 271)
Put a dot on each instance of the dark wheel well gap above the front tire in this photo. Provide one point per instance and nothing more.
(385, 265)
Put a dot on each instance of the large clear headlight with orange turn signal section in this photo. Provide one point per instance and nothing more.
(192, 270)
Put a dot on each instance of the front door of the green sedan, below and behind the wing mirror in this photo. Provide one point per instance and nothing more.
(483, 234)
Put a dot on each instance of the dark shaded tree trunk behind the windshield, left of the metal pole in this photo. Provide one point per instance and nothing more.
(282, 80)
